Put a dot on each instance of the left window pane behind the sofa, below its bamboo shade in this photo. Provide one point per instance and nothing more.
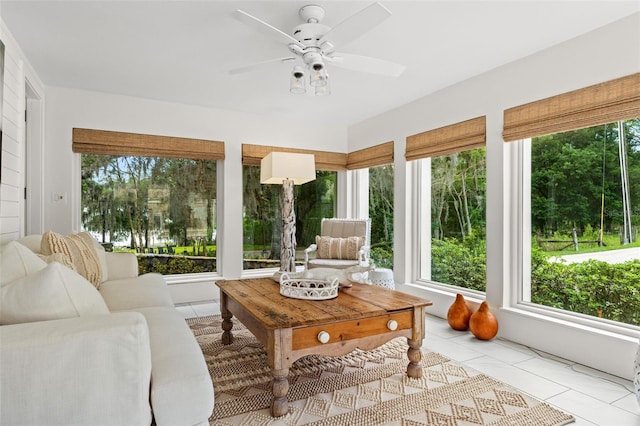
(160, 208)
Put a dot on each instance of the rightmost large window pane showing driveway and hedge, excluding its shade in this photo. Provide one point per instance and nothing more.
(583, 201)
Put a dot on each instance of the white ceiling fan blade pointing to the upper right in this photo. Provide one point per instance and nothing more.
(356, 25)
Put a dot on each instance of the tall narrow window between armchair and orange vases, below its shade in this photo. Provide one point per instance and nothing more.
(453, 219)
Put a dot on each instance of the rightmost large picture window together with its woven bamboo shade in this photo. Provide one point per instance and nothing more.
(580, 170)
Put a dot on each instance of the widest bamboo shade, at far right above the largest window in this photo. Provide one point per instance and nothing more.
(594, 105)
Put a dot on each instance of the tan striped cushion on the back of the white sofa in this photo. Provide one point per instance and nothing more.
(80, 248)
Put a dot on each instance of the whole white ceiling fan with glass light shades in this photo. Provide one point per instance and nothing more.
(312, 45)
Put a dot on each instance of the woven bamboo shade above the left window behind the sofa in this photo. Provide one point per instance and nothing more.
(88, 141)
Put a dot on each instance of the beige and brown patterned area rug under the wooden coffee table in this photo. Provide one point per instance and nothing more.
(362, 388)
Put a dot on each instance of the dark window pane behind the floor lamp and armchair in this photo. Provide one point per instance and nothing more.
(262, 225)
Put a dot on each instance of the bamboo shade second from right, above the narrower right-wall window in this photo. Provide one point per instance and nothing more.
(448, 139)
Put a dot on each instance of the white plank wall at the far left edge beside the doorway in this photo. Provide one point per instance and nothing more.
(16, 72)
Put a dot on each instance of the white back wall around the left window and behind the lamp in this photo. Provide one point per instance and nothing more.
(68, 108)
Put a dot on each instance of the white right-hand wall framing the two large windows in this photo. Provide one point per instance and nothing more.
(610, 52)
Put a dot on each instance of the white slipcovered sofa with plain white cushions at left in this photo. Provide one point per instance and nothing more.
(73, 353)
